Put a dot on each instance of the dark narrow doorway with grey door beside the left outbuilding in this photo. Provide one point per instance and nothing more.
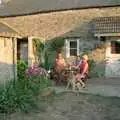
(22, 49)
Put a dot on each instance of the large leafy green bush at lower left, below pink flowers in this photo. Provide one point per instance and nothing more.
(22, 94)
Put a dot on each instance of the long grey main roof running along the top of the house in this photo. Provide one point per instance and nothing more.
(21, 7)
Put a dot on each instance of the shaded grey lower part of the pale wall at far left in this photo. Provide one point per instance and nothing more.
(6, 72)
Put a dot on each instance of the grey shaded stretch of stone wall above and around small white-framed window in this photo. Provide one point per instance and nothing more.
(84, 32)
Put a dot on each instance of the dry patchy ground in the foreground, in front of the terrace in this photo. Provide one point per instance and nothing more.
(73, 106)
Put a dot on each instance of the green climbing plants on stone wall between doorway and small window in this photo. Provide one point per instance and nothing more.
(45, 52)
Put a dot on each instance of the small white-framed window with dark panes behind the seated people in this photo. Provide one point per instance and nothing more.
(72, 47)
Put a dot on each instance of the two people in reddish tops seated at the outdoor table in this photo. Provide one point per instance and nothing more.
(80, 64)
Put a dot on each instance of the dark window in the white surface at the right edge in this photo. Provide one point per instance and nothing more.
(115, 47)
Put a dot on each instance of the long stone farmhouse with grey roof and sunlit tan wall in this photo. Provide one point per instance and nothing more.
(83, 24)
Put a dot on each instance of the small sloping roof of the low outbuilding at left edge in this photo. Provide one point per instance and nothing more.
(7, 31)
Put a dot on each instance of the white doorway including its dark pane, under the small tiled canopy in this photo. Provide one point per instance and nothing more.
(113, 58)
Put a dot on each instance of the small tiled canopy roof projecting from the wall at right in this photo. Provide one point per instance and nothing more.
(104, 25)
